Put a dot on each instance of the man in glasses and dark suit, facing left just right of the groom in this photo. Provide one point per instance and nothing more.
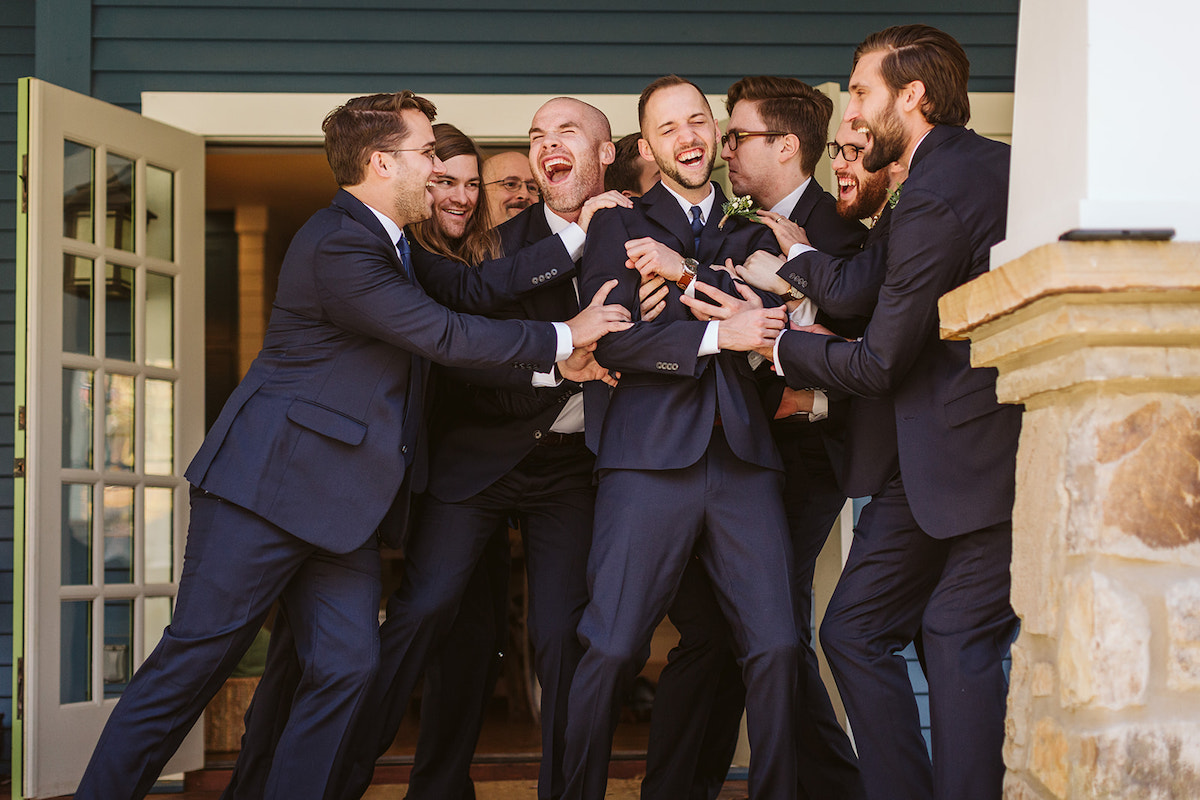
(777, 134)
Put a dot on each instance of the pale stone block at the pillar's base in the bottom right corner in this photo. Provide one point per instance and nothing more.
(1148, 762)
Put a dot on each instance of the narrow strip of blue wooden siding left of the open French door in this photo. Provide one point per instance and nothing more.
(16, 61)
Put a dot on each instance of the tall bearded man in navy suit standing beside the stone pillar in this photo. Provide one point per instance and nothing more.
(933, 549)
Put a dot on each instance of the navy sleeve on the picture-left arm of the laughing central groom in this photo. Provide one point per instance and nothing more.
(668, 346)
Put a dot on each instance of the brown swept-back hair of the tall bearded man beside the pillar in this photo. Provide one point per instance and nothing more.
(929, 56)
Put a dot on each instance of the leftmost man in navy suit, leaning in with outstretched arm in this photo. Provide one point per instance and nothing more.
(315, 448)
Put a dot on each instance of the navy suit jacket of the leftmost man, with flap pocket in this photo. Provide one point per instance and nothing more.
(322, 432)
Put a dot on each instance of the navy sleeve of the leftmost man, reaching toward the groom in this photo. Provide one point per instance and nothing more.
(363, 292)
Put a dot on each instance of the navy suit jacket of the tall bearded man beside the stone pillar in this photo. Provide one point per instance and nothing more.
(957, 446)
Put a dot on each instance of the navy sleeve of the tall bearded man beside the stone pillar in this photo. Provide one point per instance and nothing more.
(926, 256)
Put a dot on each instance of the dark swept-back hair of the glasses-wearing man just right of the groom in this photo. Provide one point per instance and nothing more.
(791, 106)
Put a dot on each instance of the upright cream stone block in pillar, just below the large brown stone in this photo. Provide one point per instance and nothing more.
(1105, 652)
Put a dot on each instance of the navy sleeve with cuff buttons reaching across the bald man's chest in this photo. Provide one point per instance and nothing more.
(495, 282)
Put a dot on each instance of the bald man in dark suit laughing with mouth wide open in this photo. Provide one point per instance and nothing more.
(507, 444)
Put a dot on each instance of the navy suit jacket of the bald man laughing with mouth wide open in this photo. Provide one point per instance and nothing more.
(489, 420)
